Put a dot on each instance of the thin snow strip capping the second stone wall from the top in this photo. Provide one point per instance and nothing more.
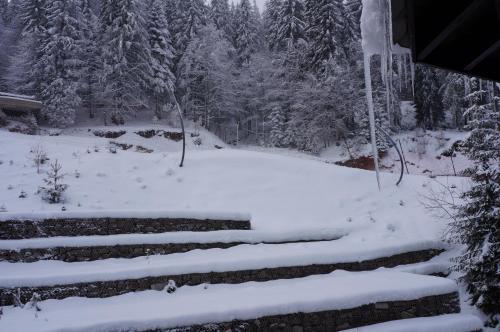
(251, 237)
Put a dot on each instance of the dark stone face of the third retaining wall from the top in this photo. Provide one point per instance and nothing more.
(118, 287)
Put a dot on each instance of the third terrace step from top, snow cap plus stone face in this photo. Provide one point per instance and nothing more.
(263, 262)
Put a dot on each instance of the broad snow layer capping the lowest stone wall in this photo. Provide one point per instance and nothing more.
(222, 303)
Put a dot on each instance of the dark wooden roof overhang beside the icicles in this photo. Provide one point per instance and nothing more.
(457, 35)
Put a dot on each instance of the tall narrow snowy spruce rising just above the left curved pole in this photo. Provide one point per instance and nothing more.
(162, 55)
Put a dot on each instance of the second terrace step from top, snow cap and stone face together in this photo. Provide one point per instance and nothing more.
(88, 248)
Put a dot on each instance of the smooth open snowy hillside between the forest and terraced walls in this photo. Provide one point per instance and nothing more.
(280, 192)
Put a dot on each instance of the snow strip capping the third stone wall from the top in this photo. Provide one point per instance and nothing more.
(243, 257)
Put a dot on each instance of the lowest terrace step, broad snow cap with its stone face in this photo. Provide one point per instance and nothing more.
(333, 302)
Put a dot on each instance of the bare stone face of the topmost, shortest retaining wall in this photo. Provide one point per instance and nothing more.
(25, 229)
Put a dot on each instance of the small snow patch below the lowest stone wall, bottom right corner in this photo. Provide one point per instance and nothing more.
(448, 323)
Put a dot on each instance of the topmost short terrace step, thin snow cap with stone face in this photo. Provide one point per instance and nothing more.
(24, 226)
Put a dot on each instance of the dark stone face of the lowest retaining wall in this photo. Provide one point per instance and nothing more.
(338, 320)
